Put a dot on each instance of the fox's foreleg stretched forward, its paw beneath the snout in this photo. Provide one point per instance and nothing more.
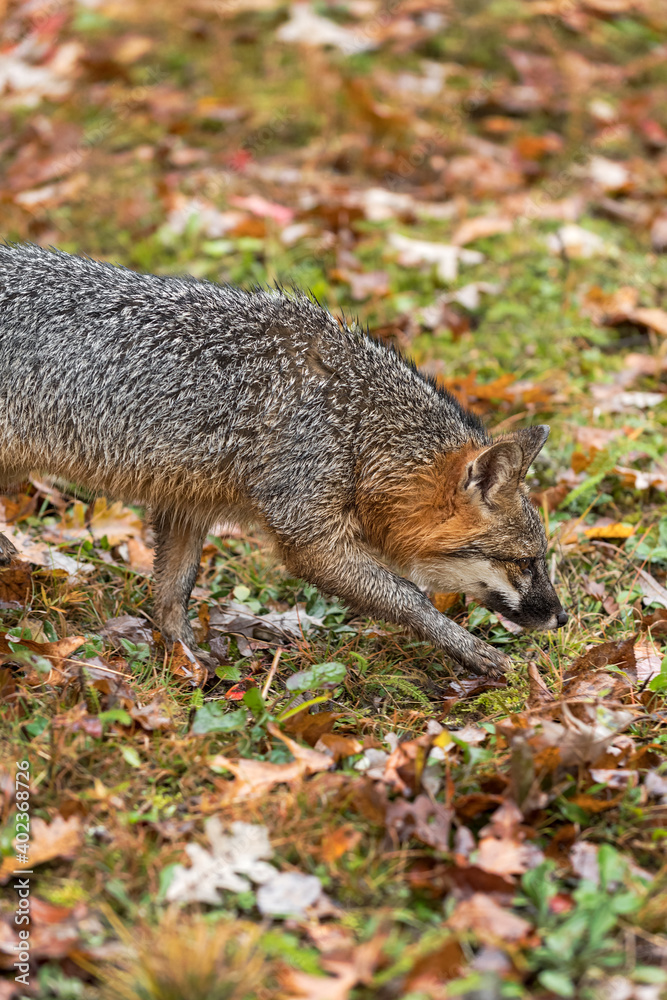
(369, 587)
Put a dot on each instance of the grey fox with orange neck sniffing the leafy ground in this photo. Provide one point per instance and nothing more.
(207, 403)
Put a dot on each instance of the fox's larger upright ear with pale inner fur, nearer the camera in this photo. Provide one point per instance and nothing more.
(505, 463)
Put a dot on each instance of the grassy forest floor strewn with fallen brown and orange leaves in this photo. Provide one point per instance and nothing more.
(483, 184)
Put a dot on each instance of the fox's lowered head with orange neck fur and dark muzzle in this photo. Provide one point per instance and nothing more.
(465, 523)
